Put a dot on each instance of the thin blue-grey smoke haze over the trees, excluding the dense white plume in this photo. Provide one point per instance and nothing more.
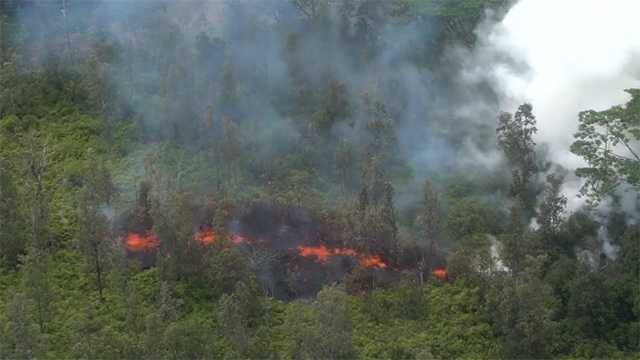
(182, 71)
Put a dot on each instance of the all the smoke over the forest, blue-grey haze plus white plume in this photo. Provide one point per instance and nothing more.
(180, 70)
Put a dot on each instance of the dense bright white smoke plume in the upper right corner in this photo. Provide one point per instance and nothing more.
(562, 56)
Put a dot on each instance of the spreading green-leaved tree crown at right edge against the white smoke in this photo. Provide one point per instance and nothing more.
(608, 141)
